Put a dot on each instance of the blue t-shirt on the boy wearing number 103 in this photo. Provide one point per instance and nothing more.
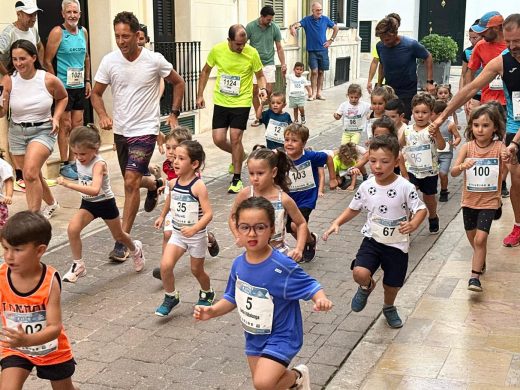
(305, 180)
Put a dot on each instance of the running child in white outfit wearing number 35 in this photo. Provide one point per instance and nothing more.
(191, 213)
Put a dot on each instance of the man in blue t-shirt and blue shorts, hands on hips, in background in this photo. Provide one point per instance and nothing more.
(315, 27)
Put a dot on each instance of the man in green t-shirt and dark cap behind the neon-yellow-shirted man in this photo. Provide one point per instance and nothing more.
(263, 34)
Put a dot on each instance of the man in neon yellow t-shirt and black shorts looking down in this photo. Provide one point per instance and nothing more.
(236, 63)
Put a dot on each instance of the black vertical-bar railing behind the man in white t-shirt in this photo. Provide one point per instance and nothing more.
(185, 57)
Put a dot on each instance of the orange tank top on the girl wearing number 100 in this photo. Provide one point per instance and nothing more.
(483, 200)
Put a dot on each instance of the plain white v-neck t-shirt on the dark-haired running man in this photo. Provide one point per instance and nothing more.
(135, 90)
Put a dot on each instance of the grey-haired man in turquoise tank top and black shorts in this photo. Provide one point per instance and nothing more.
(69, 44)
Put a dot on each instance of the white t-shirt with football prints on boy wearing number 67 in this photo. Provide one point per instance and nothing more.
(387, 206)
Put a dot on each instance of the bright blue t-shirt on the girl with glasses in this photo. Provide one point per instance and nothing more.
(287, 283)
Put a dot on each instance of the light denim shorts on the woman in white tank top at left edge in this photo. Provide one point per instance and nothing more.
(21, 136)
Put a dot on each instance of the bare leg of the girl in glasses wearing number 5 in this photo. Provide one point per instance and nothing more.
(268, 374)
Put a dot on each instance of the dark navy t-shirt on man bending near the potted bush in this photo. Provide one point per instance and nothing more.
(400, 65)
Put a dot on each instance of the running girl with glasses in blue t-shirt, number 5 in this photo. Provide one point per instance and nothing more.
(267, 301)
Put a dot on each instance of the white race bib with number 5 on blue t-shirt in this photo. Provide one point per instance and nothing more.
(255, 307)
